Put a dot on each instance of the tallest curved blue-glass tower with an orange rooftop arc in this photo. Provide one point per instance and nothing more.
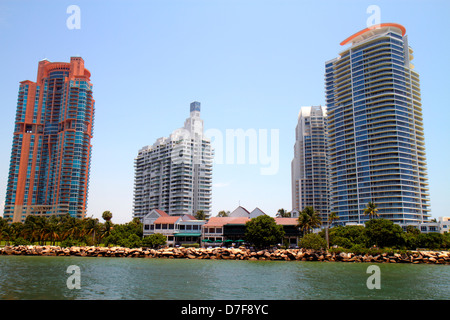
(376, 139)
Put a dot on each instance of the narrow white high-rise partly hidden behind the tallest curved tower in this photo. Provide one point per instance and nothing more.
(309, 166)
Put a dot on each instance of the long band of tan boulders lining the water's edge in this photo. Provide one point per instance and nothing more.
(241, 253)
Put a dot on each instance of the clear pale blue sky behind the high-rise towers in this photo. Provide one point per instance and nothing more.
(252, 65)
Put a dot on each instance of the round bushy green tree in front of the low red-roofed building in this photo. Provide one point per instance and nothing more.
(263, 231)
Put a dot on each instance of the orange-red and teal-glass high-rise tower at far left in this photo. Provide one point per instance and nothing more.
(51, 150)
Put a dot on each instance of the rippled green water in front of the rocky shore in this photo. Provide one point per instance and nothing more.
(36, 277)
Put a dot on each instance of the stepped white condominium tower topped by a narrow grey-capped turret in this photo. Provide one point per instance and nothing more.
(175, 173)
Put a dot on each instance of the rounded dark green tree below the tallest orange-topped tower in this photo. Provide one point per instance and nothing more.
(384, 233)
